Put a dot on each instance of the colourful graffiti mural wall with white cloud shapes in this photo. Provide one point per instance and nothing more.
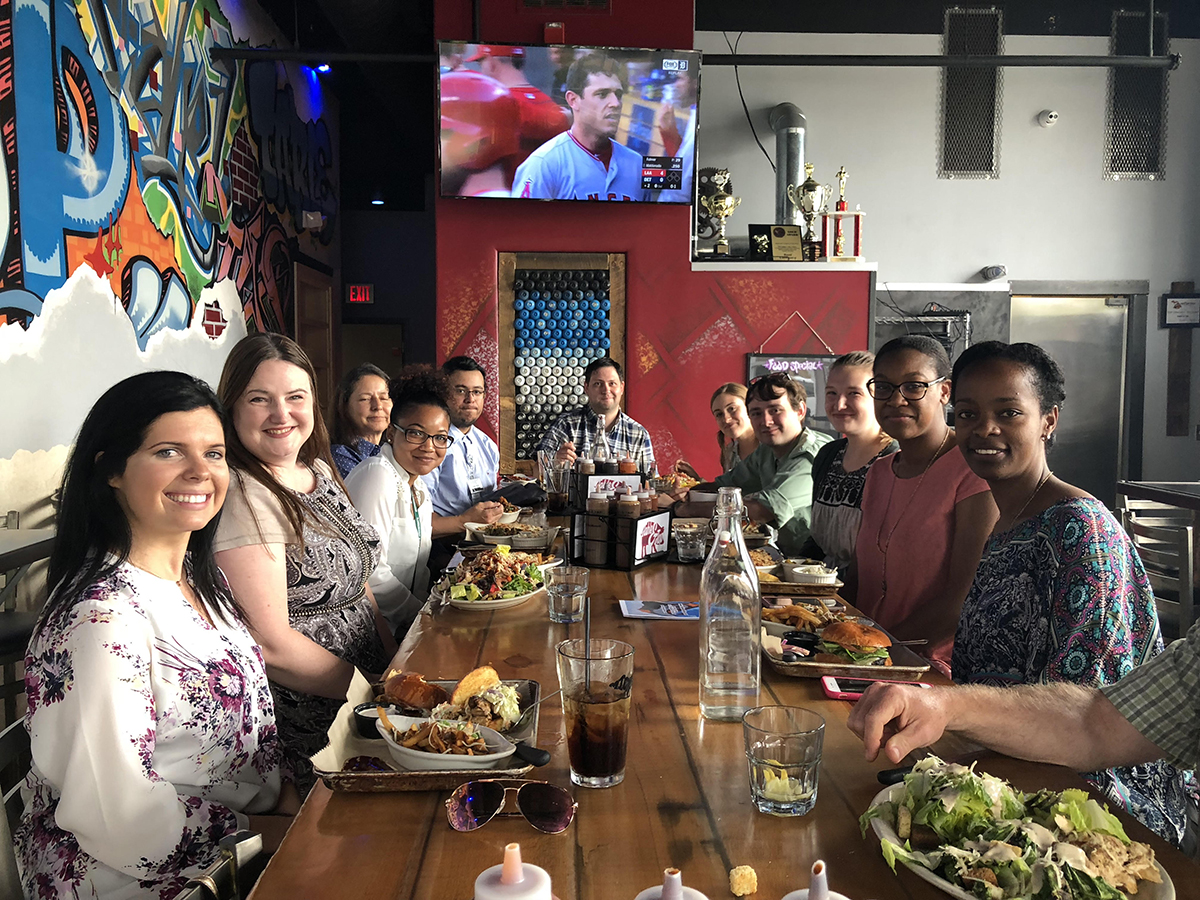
(152, 207)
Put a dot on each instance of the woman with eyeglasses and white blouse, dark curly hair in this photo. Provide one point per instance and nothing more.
(391, 494)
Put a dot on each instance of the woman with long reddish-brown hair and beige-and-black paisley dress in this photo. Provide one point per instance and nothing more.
(296, 553)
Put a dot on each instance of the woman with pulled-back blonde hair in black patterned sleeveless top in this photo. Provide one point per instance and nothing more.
(839, 471)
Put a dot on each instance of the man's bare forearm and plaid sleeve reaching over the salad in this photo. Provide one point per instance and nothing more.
(1154, 713)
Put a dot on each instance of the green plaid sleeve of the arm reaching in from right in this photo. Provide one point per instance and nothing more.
(1162, 700)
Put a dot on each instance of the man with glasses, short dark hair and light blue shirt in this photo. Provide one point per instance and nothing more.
(473, 460)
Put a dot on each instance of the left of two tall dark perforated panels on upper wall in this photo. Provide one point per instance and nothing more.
(971, 95)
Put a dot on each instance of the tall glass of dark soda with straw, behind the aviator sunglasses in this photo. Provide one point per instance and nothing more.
(597, 679)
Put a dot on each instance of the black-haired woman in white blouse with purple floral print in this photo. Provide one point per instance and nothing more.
(149, 712)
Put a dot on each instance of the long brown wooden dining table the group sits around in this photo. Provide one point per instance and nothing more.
(686, 800)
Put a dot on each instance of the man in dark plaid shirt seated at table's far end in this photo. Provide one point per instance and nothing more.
(577, 434)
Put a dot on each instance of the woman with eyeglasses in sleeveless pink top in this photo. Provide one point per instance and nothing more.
(926, 515)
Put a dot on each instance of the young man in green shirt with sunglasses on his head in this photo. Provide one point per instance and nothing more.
(777, 478)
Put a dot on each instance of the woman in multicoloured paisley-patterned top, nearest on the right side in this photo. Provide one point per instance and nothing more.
(1060, 595)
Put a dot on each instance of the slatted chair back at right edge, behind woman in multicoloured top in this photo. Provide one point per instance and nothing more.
(1166, 549)
